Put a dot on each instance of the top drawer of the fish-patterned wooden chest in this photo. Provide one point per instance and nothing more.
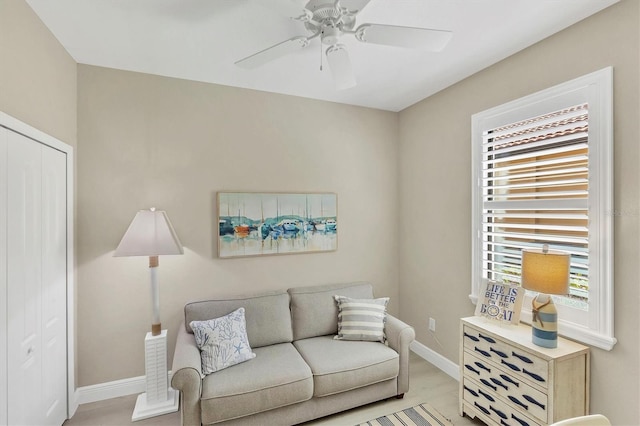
(519, 363)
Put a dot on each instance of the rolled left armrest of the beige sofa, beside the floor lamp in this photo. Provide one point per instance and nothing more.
(187, 376)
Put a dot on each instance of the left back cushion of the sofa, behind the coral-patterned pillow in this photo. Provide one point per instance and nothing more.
(267, 315)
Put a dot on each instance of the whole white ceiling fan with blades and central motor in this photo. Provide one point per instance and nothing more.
(330, 20)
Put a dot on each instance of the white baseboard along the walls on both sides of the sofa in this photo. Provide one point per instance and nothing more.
(136, 385)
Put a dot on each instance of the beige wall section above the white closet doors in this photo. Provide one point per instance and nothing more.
(37, 76)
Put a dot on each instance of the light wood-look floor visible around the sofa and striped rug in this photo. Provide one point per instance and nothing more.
(427, 384)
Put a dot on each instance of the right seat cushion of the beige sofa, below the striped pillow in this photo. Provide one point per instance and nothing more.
(339, 365)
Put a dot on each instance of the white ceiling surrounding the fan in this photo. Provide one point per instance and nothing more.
(201, 39)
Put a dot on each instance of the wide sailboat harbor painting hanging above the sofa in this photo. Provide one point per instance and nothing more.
(256, 224)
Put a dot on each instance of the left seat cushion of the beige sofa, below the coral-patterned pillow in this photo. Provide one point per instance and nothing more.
(277, 377)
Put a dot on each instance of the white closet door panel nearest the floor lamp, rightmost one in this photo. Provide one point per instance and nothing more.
(54, 286)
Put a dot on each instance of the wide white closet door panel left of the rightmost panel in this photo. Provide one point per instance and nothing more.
(24, 236)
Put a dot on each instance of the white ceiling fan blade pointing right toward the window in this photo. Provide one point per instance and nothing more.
(391, 35)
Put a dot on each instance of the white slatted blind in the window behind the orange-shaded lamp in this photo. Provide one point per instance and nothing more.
(535, 191)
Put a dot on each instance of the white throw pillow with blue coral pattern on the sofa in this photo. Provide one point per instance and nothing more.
(223, 341)
